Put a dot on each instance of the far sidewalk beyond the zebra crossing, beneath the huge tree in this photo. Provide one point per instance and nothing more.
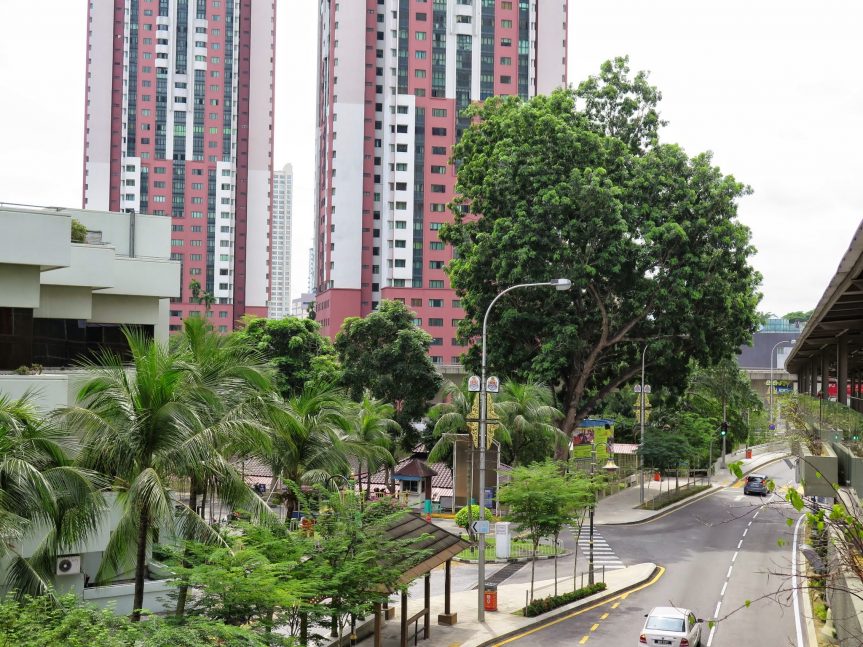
(622, 508)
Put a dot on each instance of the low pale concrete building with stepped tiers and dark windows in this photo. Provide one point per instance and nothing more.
(61, 300)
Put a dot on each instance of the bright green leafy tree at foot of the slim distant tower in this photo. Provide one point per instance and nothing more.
(295, 348)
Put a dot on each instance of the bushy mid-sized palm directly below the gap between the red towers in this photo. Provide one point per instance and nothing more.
(307, 434)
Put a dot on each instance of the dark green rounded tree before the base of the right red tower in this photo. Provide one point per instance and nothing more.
(386, 354)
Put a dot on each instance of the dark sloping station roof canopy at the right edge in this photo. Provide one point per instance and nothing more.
(838, 313)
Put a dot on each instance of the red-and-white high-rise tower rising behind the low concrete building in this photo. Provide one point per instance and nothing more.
(179, 123)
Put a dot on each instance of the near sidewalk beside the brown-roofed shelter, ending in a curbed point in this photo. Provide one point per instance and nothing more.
(469, 632)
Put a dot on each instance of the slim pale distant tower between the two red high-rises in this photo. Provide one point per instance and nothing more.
(280, 244)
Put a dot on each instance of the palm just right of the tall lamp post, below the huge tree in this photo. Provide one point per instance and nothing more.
(527, 417)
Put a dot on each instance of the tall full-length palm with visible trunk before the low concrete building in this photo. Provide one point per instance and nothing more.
(145, 426)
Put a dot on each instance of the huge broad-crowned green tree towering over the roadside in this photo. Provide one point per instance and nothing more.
(648, 235)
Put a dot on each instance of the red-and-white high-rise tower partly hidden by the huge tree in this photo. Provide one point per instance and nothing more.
(394, 77)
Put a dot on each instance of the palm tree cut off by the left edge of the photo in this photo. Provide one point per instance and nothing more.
(40, 490)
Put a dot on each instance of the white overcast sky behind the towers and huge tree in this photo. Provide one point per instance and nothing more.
(770, 86)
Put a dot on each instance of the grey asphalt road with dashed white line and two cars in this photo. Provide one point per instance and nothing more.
(719, 552)
